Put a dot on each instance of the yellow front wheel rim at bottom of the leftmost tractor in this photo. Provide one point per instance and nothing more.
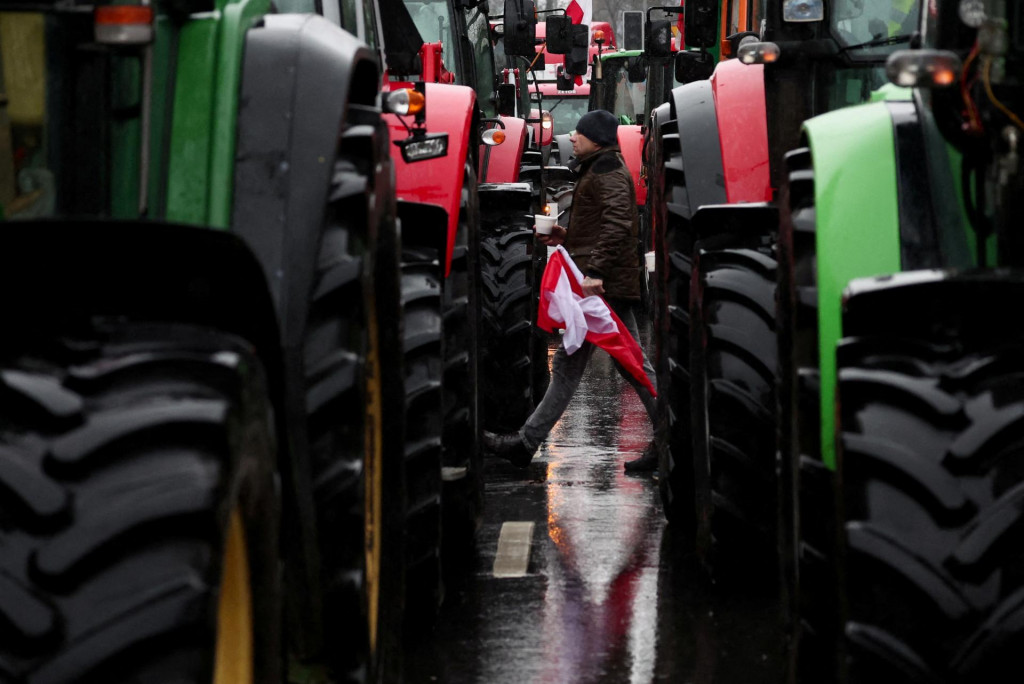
(235, 618)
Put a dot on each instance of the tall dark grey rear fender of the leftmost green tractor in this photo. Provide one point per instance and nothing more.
(308, 91)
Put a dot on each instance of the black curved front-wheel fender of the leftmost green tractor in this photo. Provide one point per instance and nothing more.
(59, 273)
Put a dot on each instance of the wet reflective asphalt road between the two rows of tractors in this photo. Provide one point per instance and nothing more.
(610, 594)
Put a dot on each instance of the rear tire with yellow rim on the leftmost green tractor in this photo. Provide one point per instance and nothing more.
(358, 492)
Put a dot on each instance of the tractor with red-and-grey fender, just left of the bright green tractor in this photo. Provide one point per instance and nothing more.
(721, 147)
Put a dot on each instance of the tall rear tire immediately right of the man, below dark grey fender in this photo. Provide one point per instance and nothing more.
(670, 216)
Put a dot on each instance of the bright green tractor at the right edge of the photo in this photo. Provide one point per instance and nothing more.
(902, 381)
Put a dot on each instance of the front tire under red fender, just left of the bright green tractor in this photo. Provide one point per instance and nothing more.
(734, 378)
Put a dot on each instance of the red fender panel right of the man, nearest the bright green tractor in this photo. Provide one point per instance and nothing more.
(743, 130)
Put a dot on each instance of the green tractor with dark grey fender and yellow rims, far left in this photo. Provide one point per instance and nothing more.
(202, 375)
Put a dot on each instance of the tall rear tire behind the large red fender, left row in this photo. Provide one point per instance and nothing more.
(462, 501)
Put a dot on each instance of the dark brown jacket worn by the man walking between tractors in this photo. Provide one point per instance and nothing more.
(603, 231)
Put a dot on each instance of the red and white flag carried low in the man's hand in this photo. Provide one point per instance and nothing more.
(585, 319)
